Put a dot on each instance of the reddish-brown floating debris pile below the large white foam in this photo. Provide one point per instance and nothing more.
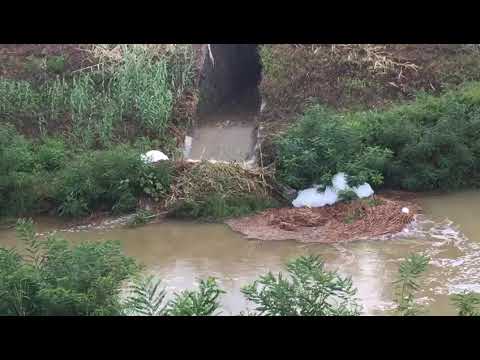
(341, 222)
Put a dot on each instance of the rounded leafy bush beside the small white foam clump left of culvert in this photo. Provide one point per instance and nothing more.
(109, 180)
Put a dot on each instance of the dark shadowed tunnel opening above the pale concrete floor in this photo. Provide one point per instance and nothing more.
(230, 78)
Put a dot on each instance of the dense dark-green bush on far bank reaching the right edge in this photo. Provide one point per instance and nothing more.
(434, 140)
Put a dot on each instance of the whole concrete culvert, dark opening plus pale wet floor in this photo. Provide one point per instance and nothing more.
(225, 128)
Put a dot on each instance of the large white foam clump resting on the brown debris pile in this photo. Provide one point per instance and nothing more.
(311, 197)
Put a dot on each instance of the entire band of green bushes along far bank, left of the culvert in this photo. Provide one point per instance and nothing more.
(112, 180)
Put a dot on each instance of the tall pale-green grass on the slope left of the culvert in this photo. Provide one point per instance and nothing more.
(135, 95)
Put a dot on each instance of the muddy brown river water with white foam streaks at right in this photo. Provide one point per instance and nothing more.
(180, 253)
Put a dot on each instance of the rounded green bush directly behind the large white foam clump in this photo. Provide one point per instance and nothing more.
(323, 144)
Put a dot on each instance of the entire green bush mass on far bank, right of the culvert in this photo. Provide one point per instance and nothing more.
(430, 143)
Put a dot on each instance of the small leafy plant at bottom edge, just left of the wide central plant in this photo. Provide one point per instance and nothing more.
(203, 302)
